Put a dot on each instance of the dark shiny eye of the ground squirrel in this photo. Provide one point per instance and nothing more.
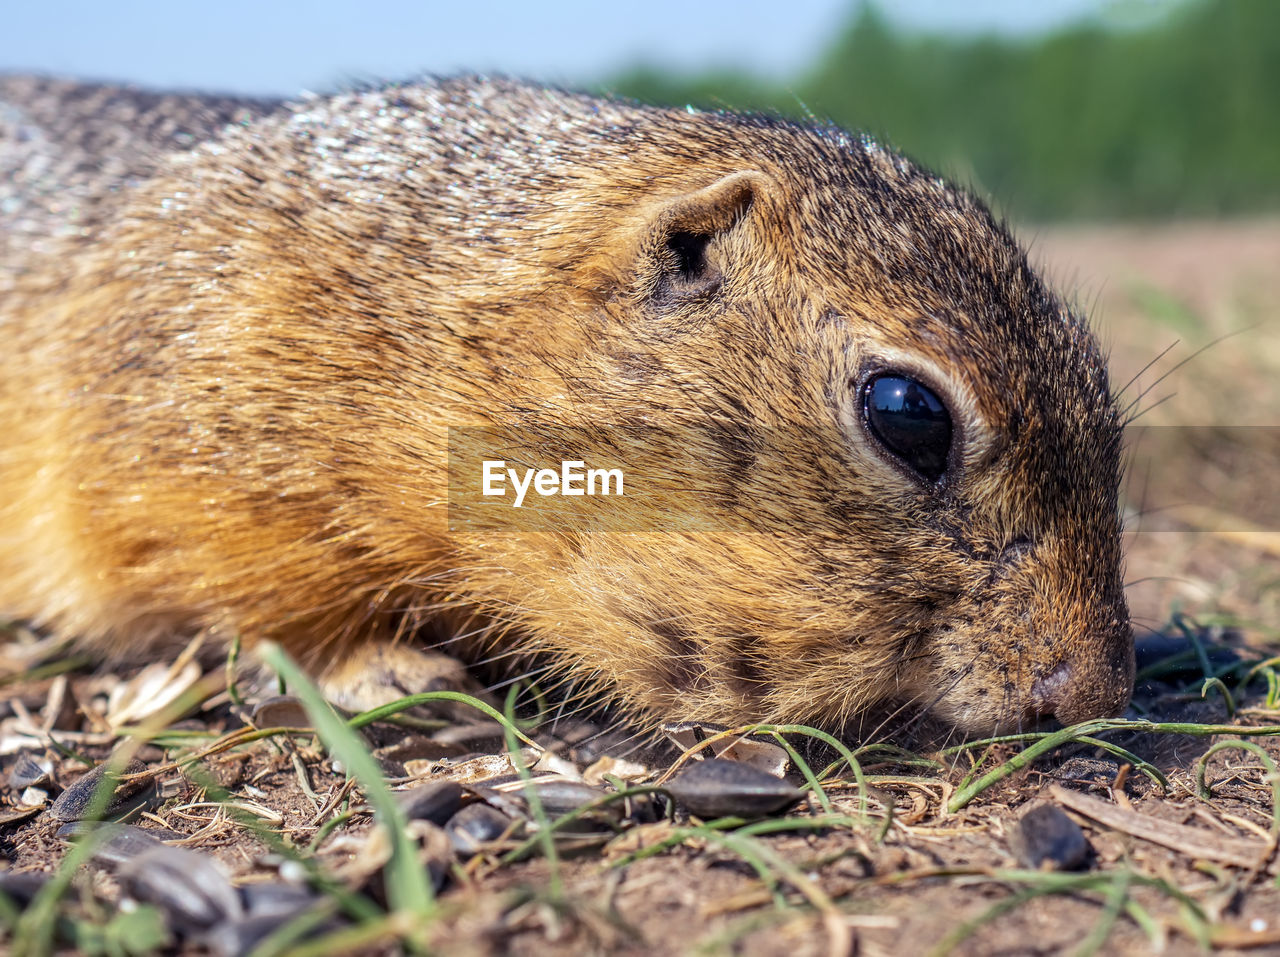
(911, 422)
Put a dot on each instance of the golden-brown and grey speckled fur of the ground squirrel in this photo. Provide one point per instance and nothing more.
(231, 369)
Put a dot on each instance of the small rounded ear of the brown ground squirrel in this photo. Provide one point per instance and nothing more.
(683, 233)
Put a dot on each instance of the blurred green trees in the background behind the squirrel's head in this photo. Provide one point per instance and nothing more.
(1174, 117)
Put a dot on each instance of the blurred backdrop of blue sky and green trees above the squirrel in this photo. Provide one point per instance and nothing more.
(1059, 109)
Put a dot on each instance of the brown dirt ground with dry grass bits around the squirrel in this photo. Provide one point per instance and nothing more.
(1163, 868)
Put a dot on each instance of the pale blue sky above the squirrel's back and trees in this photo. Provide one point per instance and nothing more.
(259, 47)
